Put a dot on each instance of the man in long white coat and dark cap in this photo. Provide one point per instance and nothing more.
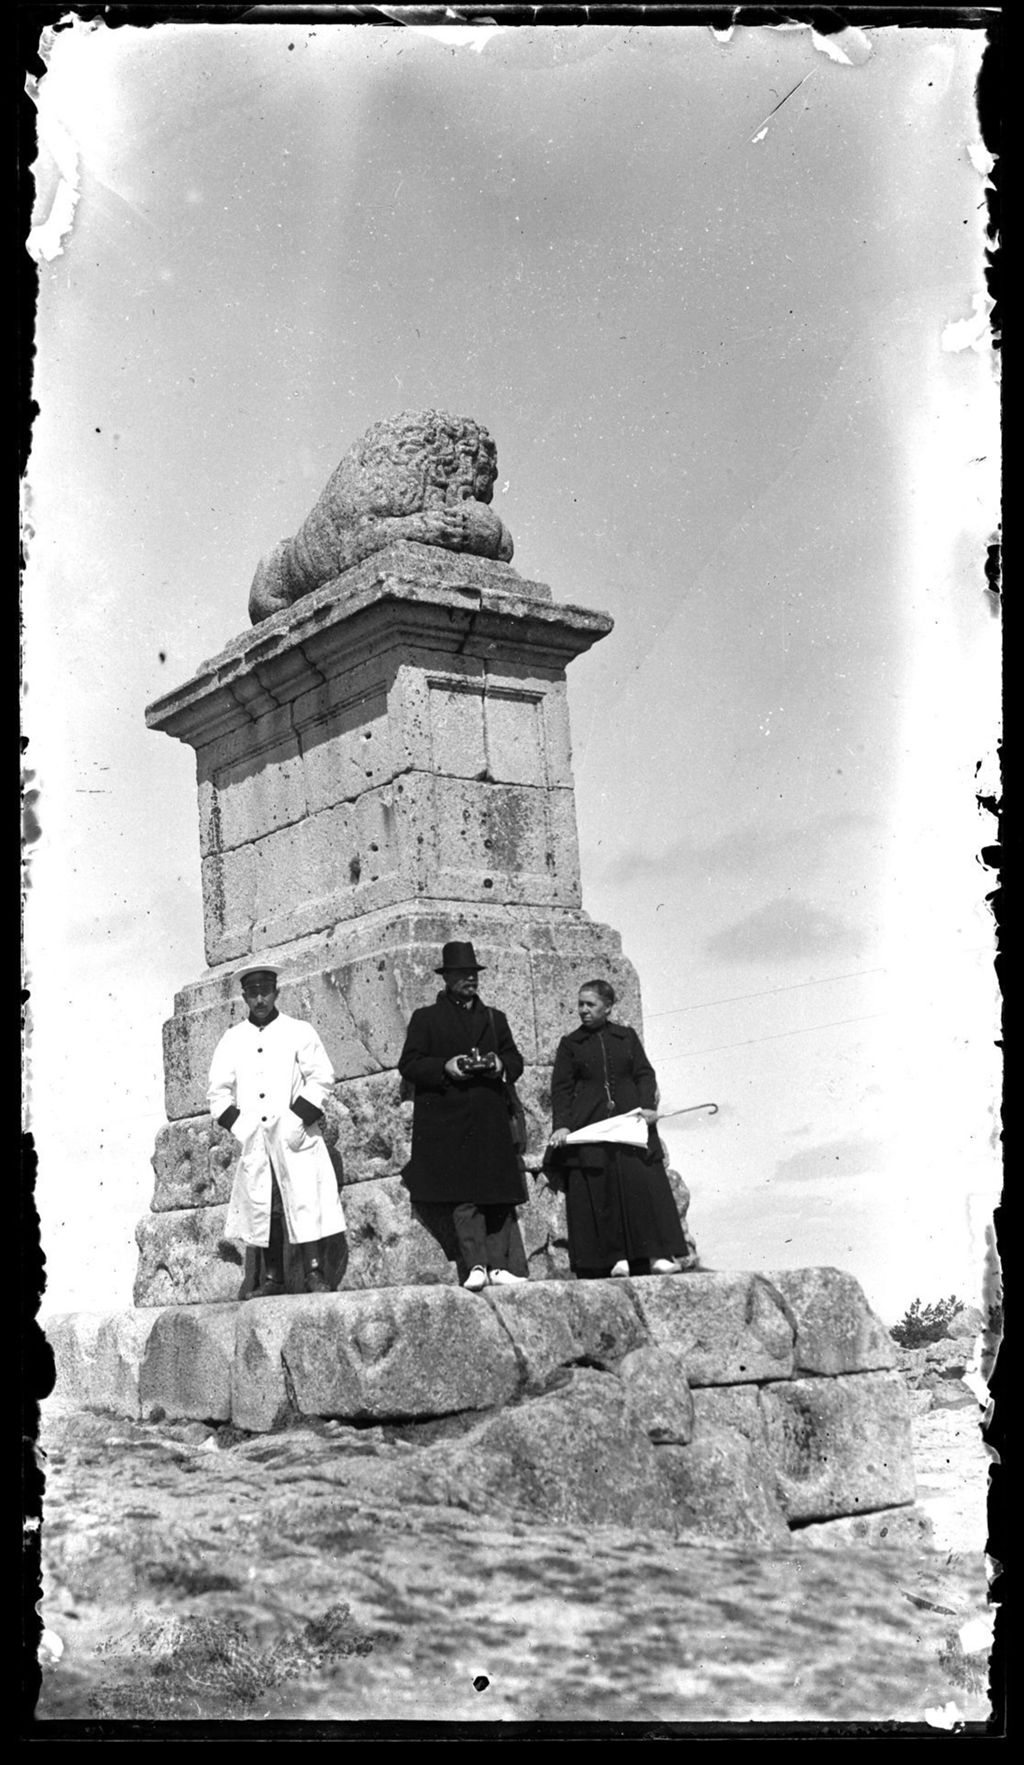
(269, 1083)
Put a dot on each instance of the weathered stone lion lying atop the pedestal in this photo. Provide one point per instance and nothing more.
(423, 476)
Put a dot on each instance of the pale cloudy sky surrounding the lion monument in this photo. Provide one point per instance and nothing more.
(719, 301)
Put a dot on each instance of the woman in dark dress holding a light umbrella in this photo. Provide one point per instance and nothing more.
(619, 1203)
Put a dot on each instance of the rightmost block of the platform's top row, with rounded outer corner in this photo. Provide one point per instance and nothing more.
(836, 1330)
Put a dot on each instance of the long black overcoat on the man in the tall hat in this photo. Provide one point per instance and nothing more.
(462, 1130)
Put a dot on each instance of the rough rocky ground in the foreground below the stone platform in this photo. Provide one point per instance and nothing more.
(193, 1573)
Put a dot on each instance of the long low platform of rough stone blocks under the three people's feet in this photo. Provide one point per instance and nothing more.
(739, 1408)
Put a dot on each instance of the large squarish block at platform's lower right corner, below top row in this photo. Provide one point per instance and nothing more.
(840, 1446)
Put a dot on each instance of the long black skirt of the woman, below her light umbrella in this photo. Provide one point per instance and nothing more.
(621, 1212)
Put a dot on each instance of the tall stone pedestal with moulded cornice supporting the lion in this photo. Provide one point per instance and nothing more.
(380, 769)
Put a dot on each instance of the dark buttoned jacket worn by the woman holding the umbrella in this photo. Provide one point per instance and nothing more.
(578, 1085)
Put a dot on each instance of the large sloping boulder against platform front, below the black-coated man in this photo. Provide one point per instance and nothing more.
(576, 1455)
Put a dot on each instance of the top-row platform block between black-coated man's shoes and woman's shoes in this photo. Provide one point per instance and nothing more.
(555, 1325)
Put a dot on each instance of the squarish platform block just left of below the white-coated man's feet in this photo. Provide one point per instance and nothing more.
(186, 1371)
